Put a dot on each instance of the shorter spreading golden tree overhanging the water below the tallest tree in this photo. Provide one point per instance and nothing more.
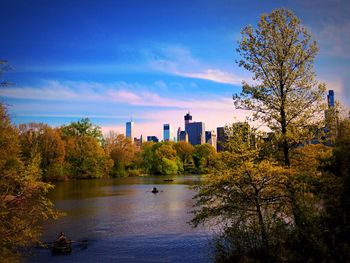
(246, 197)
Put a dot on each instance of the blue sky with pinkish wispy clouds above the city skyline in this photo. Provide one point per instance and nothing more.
(151, 61)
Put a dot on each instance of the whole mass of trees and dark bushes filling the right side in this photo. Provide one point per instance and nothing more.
(277, 197)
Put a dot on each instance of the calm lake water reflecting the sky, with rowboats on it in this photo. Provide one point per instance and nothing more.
(123, 221)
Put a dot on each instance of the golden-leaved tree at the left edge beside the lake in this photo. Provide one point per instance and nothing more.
(23, 203)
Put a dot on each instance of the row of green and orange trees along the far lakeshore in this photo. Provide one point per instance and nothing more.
(80, 151)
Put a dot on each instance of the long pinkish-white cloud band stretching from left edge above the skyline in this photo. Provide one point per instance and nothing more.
(122, 92)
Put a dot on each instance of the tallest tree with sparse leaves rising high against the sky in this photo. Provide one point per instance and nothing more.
(285, 95)
